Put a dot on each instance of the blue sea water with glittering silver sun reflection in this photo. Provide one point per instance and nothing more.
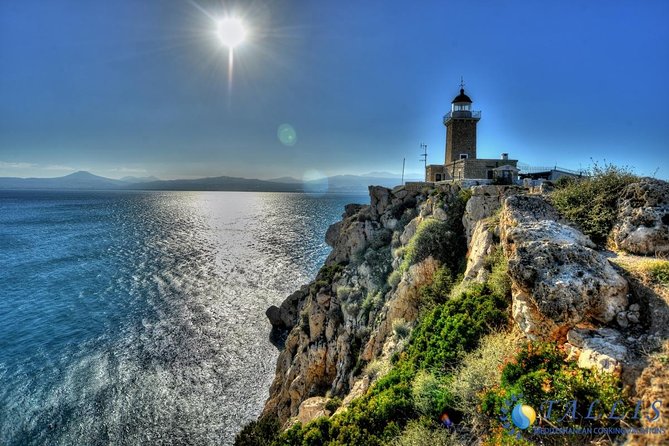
(139, 317)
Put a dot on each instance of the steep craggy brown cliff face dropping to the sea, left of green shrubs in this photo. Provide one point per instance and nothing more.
(327, 324)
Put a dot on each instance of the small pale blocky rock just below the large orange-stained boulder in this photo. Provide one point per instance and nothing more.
(601, 349)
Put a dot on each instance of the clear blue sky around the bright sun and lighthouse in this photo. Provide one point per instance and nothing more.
(142, 88)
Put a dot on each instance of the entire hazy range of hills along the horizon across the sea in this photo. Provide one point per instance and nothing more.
(87, 181)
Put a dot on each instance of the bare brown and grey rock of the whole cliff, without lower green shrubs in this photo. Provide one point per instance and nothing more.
(339, 332)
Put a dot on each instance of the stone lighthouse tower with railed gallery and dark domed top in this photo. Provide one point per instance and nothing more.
(460, 125)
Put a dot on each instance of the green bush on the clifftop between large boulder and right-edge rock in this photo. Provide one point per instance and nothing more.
(591, 203)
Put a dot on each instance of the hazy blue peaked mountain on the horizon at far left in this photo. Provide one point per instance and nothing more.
(77, 180)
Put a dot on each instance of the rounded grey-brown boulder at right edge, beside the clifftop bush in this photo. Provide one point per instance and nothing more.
(643, 218)
